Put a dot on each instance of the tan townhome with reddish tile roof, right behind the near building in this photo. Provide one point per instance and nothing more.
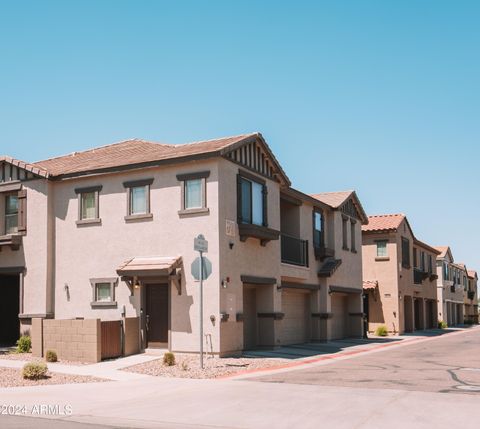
(399, 275)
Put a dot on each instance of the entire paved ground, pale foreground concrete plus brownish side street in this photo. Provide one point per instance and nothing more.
(412, 384)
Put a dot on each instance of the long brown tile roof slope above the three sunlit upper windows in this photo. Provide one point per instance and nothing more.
(133, 152)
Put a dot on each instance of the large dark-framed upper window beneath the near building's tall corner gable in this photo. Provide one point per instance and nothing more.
(252, 200)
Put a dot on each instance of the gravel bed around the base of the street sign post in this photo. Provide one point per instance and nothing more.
(188, 366)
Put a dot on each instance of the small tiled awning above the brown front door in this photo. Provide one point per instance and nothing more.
(149, 266)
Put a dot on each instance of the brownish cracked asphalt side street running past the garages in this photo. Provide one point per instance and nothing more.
(449, 364)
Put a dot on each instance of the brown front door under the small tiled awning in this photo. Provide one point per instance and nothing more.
(157, 315)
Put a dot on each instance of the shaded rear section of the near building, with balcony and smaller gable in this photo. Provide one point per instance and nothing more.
(321, 271)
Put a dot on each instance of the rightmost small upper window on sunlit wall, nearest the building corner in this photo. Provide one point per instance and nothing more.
(194, 192)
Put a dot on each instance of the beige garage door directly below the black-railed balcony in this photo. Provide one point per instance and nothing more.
(295, 324)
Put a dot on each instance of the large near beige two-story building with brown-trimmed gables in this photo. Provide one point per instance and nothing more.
(108, 234)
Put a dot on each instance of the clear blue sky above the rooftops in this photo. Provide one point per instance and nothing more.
(377, 96)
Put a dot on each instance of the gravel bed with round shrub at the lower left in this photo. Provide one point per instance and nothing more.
(11, 377)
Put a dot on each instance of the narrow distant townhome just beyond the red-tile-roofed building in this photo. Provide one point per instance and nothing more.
(450, 287)
